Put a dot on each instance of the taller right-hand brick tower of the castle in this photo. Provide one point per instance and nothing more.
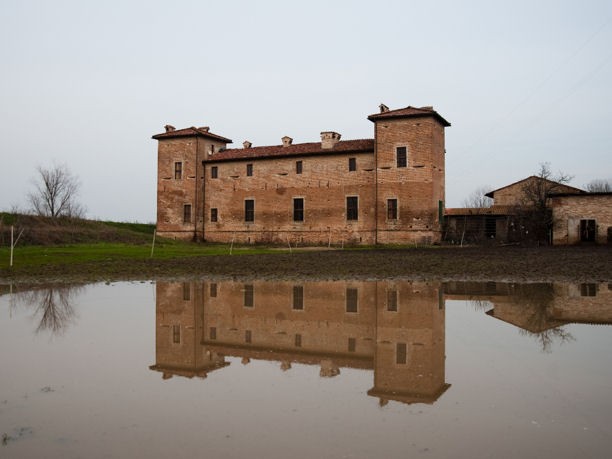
(409, 156)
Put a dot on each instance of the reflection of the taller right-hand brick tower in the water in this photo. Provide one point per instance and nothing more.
(410, 345)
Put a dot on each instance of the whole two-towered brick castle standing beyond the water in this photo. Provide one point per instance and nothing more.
(389, 189)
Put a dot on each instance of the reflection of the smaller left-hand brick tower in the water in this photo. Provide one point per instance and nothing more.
(178, 351)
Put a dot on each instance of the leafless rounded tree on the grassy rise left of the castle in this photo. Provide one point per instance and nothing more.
(55, 194)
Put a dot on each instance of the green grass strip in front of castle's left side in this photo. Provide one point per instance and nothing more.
(32, 256)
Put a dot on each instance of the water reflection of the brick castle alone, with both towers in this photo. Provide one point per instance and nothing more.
(394, 328)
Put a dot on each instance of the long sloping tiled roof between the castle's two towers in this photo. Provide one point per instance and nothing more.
(299, 149)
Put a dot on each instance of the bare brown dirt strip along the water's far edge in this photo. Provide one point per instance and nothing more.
(510, 264)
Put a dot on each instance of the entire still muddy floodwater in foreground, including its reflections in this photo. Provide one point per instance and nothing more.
(306, 369)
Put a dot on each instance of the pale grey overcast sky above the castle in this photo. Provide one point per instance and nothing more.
(88, 83)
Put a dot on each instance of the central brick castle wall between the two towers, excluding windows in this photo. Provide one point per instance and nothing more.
(324, 184)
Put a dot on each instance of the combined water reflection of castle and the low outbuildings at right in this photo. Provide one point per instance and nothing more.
(395, 328)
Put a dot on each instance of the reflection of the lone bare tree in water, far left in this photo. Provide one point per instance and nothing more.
(53, 304)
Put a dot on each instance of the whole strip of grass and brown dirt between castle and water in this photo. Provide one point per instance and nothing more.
(96, 262)
